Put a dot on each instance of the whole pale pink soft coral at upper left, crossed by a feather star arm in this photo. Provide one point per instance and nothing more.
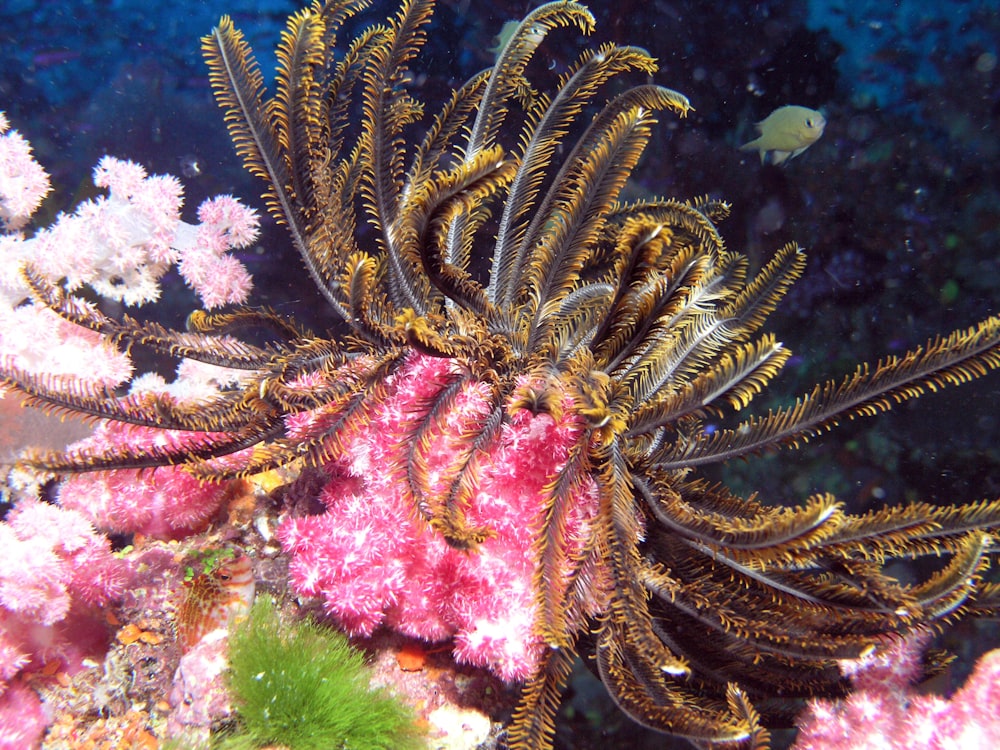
(119, 244)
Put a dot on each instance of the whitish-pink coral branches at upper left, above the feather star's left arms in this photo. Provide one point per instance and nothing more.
(122, 243)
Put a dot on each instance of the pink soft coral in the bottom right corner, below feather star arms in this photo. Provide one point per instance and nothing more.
(885, 712)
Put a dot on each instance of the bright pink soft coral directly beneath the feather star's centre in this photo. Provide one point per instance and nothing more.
(374, 560)
